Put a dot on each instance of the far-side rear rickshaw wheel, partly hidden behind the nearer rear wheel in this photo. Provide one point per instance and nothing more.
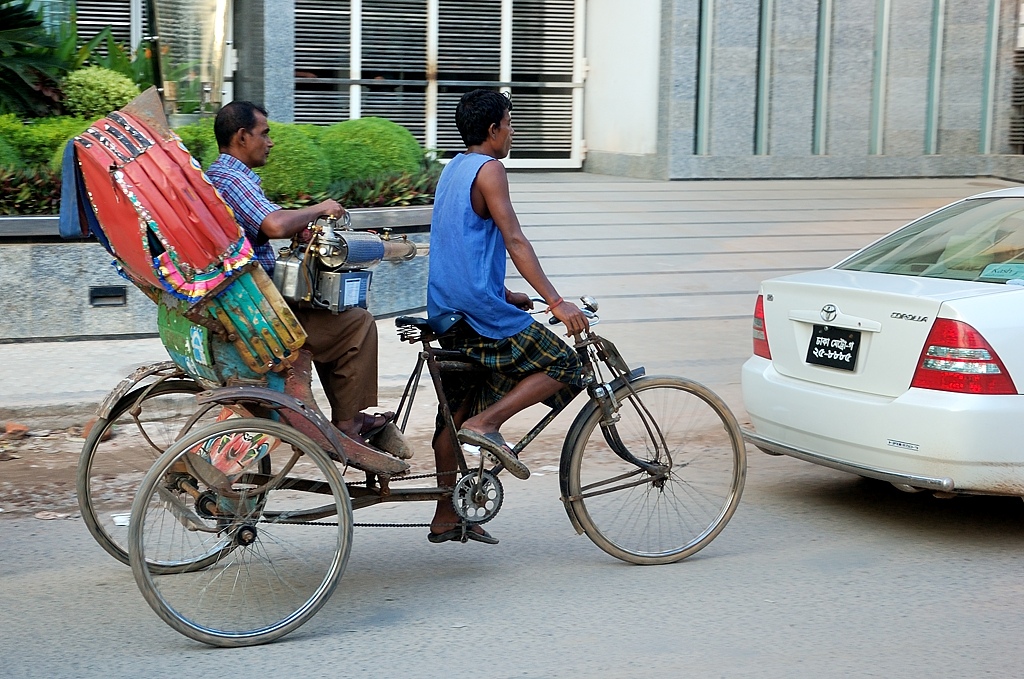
(121, 448)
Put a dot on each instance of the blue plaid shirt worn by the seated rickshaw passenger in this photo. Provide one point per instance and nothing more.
(240, 188)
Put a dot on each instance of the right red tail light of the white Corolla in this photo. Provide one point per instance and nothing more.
(958, 359)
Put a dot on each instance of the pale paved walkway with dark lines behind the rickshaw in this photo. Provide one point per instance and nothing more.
(676, 267)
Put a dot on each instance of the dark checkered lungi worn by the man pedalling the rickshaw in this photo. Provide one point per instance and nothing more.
(508, 361)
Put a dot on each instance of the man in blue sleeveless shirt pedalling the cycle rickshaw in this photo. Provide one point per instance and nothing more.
(474, 227)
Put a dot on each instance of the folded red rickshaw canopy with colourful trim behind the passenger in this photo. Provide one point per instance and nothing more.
(137, 188)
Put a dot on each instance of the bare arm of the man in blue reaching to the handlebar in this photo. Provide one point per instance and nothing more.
(492, 189)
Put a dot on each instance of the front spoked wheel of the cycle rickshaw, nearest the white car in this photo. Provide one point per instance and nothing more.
(696, 466)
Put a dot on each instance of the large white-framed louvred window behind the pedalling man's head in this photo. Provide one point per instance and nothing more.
(537, 67)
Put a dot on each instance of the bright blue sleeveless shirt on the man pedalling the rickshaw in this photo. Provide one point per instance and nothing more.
(467, 257)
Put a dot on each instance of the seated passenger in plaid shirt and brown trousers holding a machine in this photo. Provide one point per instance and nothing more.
(345, 346)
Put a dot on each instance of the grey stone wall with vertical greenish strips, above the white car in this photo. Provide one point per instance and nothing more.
(832, 89)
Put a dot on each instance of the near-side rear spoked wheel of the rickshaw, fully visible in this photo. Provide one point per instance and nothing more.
(277, 564)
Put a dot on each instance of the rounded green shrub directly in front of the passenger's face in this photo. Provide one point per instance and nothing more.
(296, 165)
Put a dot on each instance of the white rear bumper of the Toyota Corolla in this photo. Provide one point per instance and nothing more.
(923, 439)
